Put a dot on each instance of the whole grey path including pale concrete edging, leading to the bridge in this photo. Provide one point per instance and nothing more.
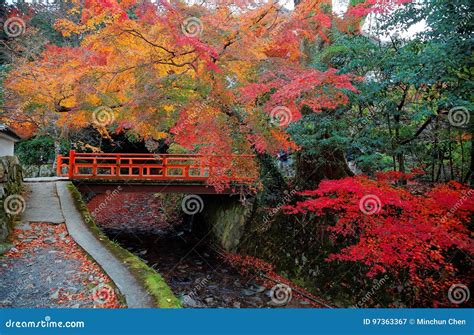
(48, 268)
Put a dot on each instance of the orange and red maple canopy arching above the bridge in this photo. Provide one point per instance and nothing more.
(206, 79)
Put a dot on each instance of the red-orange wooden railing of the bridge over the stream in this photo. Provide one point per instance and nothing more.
(189, 167)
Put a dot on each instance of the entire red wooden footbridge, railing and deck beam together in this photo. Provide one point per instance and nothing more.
(181, 173)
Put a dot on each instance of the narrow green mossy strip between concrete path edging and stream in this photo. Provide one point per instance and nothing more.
(155, 285)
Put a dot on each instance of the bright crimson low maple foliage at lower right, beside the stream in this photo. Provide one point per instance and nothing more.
(390, 231)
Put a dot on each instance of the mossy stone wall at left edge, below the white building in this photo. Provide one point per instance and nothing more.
(11, 202)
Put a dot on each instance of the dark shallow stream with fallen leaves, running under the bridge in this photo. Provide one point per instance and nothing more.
(186, 261)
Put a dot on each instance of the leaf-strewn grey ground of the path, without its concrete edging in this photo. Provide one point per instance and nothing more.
(47, 269)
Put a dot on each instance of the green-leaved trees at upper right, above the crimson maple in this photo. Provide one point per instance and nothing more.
(399, 118)
